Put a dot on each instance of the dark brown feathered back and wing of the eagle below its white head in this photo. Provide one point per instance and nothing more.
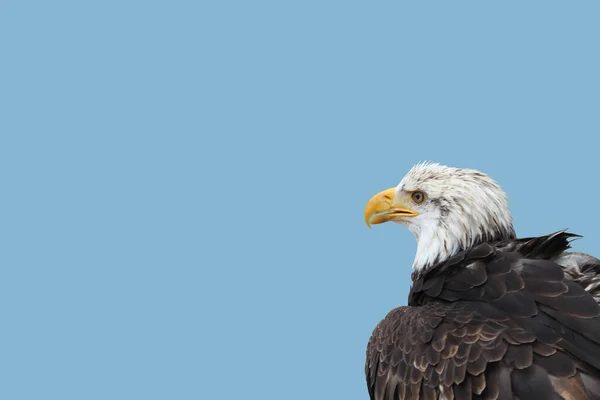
(490, 323)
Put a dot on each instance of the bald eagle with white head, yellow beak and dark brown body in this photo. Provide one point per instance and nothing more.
(489, 315)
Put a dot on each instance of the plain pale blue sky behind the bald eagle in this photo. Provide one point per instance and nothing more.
(183, 183)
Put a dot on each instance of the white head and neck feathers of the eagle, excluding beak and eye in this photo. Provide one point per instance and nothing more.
(463, 207)
